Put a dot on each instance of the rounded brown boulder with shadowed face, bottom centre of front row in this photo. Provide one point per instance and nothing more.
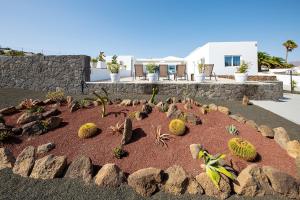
(145, 181)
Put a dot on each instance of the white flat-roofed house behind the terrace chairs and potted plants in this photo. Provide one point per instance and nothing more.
(226, 57)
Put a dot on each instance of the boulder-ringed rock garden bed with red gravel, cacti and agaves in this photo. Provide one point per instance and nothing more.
(177, 146)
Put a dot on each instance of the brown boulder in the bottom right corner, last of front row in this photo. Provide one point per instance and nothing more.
(282, 183)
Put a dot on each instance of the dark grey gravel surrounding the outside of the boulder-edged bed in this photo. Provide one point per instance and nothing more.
(13, 187)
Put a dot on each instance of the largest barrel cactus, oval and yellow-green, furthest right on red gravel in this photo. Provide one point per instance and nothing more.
(242, 148)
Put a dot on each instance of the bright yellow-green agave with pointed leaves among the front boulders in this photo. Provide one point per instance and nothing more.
(213, 167)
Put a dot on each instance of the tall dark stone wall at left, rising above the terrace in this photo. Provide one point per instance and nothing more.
(45, 73)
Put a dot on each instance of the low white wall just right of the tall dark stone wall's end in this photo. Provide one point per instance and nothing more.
(98, 74)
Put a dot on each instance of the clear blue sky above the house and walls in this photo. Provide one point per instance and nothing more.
(146, 28)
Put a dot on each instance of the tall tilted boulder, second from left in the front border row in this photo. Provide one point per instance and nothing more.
(25, 161)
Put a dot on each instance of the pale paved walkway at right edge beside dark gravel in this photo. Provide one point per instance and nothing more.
(288, 107)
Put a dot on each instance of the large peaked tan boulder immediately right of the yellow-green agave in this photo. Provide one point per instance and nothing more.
(252, 182)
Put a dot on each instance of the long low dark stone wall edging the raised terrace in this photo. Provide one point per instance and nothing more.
(272, 90)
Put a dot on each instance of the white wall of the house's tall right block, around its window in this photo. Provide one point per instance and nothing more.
(214, 53)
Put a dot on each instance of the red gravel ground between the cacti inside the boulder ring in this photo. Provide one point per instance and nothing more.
(143, 152)
